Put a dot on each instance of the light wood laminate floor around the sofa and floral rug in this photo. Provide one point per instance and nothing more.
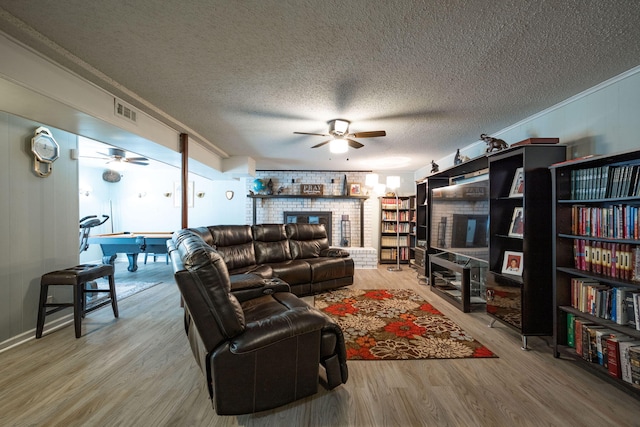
(138, 371)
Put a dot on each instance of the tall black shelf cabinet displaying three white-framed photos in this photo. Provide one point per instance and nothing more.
(520, 199)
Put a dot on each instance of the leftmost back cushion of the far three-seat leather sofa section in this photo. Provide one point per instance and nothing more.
(234, 243)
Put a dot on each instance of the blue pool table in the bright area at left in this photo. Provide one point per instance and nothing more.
(130, 243)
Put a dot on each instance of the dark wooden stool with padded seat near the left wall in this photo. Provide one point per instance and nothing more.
(77, 277)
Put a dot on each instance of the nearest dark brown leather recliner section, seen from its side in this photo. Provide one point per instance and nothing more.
(265, 350)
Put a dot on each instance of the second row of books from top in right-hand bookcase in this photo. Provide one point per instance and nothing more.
(615, 221)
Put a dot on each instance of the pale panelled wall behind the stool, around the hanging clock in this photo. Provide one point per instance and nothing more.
(38, 223)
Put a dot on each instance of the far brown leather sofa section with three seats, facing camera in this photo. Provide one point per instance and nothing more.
(299, 254)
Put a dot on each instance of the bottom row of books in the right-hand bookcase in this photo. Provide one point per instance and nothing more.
(618, 353)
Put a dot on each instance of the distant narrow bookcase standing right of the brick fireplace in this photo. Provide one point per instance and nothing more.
(390, 235)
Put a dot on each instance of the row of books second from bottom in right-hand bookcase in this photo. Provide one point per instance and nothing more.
(620, 304)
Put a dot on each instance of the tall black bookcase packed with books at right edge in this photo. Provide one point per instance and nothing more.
(596, 256)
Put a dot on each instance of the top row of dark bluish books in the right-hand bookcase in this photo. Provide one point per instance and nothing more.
(605, 182)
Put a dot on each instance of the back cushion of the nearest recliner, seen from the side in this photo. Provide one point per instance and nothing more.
(205, 286)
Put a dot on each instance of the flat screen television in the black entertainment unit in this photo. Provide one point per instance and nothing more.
(459, 221)
